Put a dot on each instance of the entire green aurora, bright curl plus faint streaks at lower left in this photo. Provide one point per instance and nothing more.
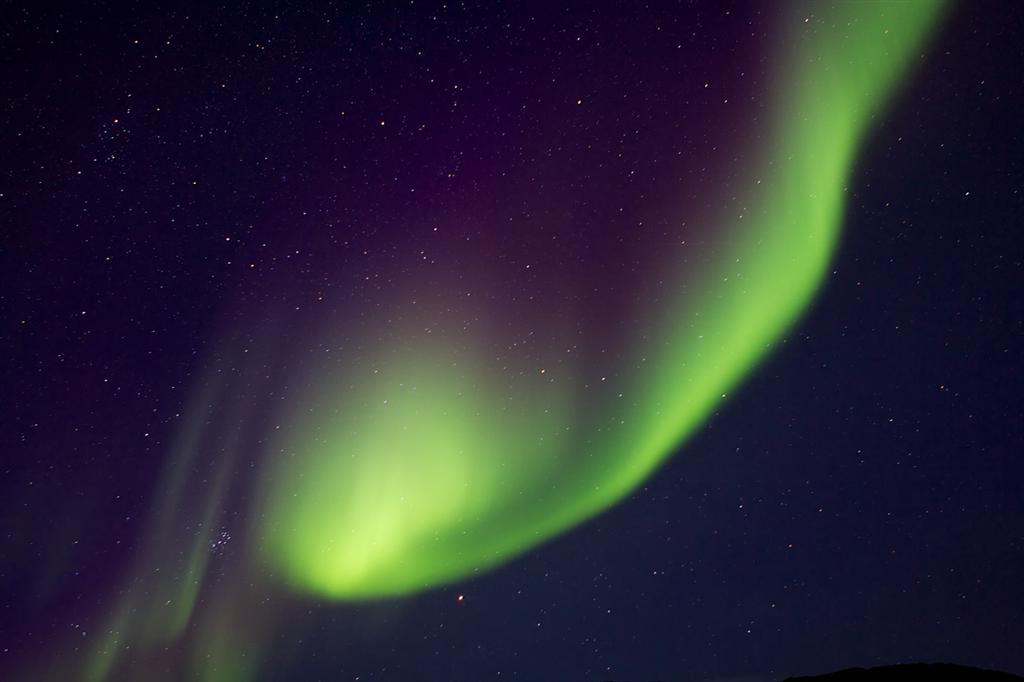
(431, 463)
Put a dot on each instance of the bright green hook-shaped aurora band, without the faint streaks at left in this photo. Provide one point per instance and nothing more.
(428, 465)
